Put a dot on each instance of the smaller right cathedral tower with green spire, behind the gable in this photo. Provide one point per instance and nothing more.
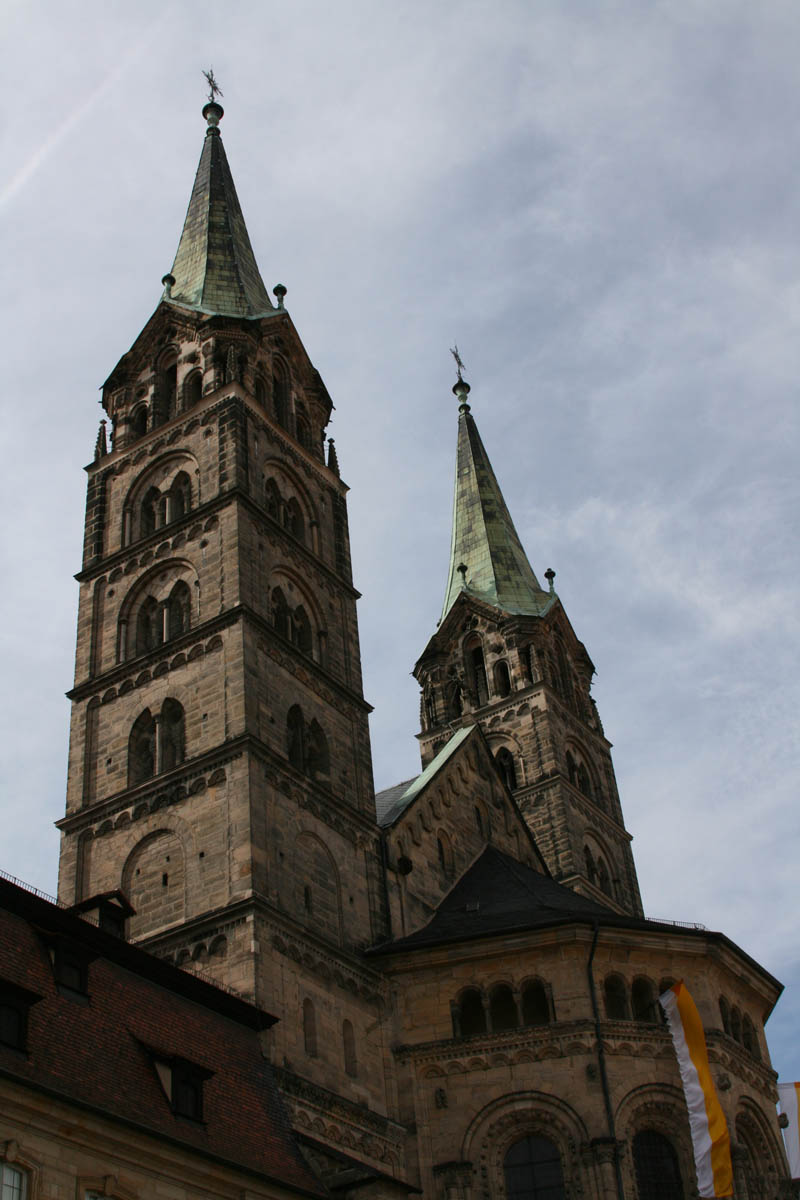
(506, 657)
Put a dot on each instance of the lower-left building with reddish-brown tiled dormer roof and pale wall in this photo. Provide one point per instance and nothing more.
(123, 1077)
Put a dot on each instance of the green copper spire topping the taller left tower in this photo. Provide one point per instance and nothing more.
(215, 269)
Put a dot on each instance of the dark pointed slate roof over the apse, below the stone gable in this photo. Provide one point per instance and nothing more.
(498, 896)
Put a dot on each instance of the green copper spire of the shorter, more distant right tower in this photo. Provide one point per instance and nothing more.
(486, 556)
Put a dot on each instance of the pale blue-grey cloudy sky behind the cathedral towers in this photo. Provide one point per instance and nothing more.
(599, 202)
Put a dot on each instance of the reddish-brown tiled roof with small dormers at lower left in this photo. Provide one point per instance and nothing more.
(98, 1054)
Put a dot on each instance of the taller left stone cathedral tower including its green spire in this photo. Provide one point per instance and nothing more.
(220, 766)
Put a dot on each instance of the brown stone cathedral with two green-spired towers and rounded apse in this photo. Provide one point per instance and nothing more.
(464, 976)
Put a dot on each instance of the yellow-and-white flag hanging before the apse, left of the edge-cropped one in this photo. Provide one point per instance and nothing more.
(711, 1137)
